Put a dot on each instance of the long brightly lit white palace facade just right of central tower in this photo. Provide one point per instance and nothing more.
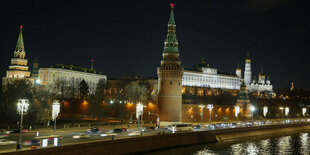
(202, 75)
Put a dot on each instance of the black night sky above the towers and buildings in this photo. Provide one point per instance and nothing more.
(126, 37)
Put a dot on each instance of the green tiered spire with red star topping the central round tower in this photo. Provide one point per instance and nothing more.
(171, 43)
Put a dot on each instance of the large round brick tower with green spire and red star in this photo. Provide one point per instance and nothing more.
(170, 74)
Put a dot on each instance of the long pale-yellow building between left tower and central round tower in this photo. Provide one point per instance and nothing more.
(48, 76)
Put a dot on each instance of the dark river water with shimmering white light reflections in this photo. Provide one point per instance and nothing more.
(298, 143)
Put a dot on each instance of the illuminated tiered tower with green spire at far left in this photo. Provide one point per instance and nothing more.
(18, 68)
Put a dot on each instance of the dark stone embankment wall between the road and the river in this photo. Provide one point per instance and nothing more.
(149, 143)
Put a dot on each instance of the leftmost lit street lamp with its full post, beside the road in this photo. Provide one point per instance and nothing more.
(22, 107)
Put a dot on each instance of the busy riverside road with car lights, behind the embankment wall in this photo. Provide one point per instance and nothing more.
(85, 137)
